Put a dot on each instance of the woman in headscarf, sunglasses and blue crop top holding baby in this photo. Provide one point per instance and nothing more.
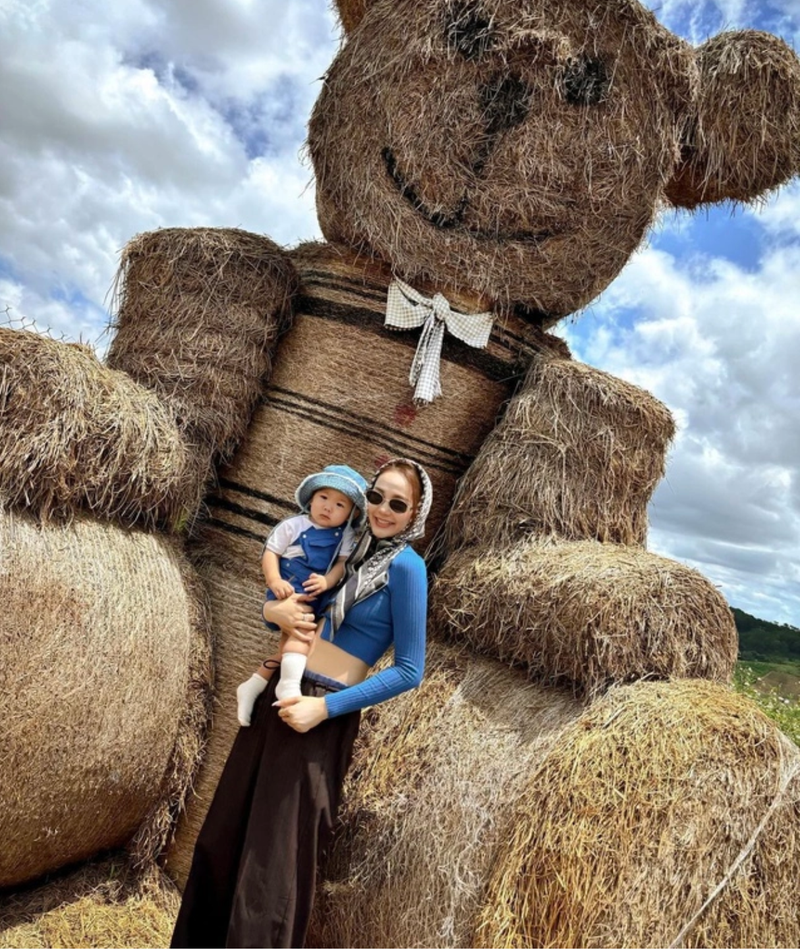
(255, 862)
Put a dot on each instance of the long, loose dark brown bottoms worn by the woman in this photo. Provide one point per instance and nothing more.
(254, 868)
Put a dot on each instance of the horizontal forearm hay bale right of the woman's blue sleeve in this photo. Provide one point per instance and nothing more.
(586, 613)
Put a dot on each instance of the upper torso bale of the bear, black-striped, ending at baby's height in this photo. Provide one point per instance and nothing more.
(337, 334)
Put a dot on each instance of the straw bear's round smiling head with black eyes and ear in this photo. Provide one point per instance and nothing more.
(519, 149)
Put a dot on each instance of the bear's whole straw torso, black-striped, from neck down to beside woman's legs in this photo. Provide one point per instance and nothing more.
(337, 334)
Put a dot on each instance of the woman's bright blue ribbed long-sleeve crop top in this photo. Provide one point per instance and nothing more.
(395, 614)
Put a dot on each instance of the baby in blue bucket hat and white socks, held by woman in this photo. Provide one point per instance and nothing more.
(305, 554)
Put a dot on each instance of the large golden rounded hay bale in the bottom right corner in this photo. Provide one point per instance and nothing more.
(667, 815)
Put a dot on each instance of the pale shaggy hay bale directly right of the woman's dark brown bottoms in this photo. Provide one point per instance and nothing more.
(435, 774)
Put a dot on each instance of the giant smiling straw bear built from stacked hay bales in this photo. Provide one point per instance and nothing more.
(503, 157)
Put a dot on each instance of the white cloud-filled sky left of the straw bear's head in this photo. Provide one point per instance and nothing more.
(117, 119)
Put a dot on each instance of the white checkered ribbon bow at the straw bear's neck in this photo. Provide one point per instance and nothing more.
(406, 308)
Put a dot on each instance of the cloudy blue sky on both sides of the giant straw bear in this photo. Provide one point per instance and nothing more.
(120, 118)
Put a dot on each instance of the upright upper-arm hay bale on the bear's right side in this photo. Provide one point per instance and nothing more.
(577, 455)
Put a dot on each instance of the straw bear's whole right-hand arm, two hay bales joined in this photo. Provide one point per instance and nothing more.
(547, 567)
